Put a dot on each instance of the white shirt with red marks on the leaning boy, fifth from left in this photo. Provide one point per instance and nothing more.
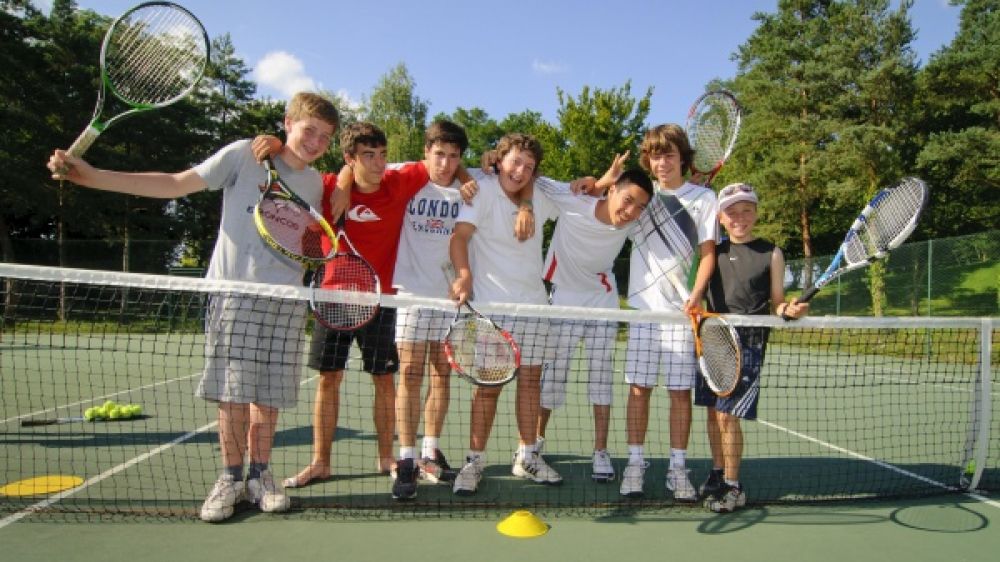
(582, 250)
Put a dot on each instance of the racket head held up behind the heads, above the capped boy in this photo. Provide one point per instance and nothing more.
(713, 124)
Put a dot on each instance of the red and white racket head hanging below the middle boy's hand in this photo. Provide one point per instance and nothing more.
(479, 351)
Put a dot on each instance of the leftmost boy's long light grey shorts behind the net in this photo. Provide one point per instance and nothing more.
(254, 350)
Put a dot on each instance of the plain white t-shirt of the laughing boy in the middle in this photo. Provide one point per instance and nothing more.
(504, 269)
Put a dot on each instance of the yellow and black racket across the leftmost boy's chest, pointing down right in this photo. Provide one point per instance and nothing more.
(290, 225)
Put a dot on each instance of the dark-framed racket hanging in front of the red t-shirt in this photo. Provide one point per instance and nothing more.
(357, 285)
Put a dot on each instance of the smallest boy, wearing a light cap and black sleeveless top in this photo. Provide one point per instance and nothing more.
(749, 279)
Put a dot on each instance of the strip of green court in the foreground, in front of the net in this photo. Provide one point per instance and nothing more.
(952, 528)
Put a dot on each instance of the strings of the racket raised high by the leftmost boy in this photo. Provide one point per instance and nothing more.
(156, 55)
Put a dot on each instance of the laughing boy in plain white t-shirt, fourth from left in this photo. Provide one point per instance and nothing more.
(491, 264)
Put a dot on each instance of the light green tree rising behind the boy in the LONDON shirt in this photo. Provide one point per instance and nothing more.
(400, 113)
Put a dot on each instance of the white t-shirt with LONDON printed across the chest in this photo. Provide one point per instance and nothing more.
(423, 243)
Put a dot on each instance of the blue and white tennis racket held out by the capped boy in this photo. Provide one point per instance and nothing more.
(885, 223)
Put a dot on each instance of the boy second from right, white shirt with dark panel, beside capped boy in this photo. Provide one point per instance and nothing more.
(654, 348)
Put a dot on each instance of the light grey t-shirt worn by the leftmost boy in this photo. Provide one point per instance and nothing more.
(240, 254)
